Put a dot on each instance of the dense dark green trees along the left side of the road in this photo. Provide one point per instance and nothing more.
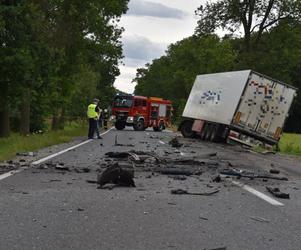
(56, 55)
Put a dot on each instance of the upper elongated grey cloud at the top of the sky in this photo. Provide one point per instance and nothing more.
(146, 8)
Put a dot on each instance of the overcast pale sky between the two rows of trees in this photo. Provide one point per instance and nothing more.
(150, 26)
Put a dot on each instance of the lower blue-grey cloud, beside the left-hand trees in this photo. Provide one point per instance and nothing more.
(141, 50)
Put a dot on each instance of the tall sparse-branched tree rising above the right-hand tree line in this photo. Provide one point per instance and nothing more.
(253, 16)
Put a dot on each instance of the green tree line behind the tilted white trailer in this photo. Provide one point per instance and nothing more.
(270, 44)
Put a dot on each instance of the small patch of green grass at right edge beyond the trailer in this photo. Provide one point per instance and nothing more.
(290, 144)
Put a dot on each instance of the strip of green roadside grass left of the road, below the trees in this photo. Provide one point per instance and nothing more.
(17, 143)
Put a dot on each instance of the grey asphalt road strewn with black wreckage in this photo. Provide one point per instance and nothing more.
(46, 208)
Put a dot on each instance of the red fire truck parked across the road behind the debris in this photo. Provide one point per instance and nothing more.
(141, 112)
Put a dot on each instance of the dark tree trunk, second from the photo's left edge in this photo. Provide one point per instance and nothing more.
(25, 113)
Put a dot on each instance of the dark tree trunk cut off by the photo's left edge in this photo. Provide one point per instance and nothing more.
(4, 114)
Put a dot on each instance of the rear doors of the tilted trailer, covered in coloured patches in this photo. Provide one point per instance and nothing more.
(264, 106)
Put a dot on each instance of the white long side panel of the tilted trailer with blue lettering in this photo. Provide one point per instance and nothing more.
(214, 97)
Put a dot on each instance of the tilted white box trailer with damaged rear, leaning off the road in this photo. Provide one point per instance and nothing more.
(244, 102)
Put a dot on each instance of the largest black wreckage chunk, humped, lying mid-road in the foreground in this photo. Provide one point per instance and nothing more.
(116, 175)
